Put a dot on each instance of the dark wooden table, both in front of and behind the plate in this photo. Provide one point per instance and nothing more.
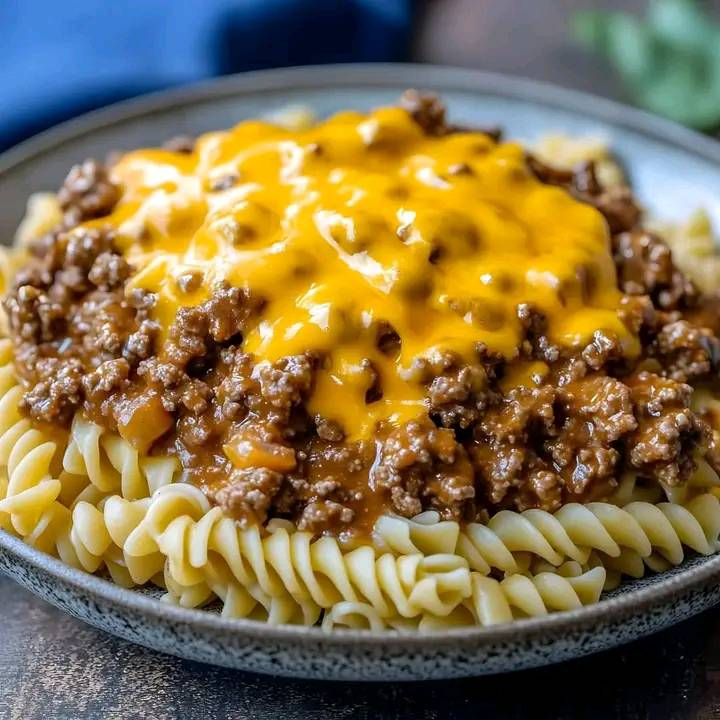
(52, 666)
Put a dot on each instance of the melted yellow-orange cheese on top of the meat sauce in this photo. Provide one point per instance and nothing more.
(361, 222)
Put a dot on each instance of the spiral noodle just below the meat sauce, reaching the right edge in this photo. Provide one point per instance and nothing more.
(655, 533)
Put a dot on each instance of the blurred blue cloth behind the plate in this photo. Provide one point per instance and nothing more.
(62, 58)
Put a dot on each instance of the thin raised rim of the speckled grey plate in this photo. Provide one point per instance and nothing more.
(379, 75)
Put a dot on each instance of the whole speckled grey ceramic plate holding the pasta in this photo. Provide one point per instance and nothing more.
(672, 169)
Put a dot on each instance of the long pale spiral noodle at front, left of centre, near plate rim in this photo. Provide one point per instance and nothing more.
(203, 548)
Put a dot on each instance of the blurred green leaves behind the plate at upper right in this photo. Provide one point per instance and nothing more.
(669, 61)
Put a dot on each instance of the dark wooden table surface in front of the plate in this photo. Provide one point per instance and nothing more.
(53, 667)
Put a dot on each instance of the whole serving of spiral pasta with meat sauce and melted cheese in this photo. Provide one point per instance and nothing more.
(265, 527)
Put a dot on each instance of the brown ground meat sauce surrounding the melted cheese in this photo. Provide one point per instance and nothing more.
(241, 427)
